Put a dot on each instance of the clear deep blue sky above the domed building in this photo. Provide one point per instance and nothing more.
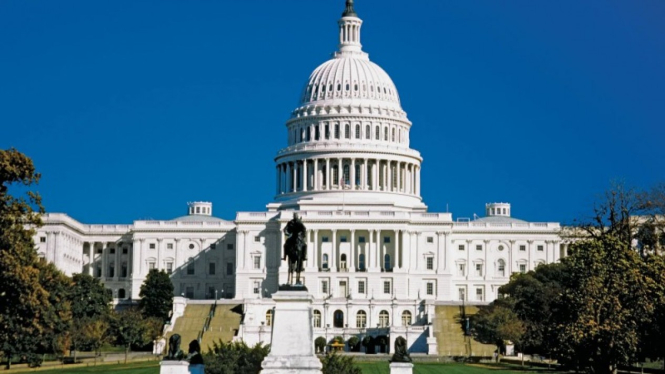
(132, 108)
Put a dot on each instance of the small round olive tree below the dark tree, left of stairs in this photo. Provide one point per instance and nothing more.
(129, 328)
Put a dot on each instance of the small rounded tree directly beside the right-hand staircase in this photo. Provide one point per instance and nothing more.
(497, 323)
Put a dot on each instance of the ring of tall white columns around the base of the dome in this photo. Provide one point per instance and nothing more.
(325, 174)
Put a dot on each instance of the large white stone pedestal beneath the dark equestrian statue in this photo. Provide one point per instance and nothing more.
(292, 348)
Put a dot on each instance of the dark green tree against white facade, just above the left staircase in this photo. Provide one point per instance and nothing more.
(157, 295)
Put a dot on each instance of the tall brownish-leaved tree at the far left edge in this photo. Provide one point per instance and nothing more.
(22, 296)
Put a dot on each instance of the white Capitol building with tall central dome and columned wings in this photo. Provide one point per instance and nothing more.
(377, 257)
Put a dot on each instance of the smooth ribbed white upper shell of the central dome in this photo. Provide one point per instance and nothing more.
(349, 76)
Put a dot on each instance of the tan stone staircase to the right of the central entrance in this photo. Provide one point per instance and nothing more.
(449, 333)
